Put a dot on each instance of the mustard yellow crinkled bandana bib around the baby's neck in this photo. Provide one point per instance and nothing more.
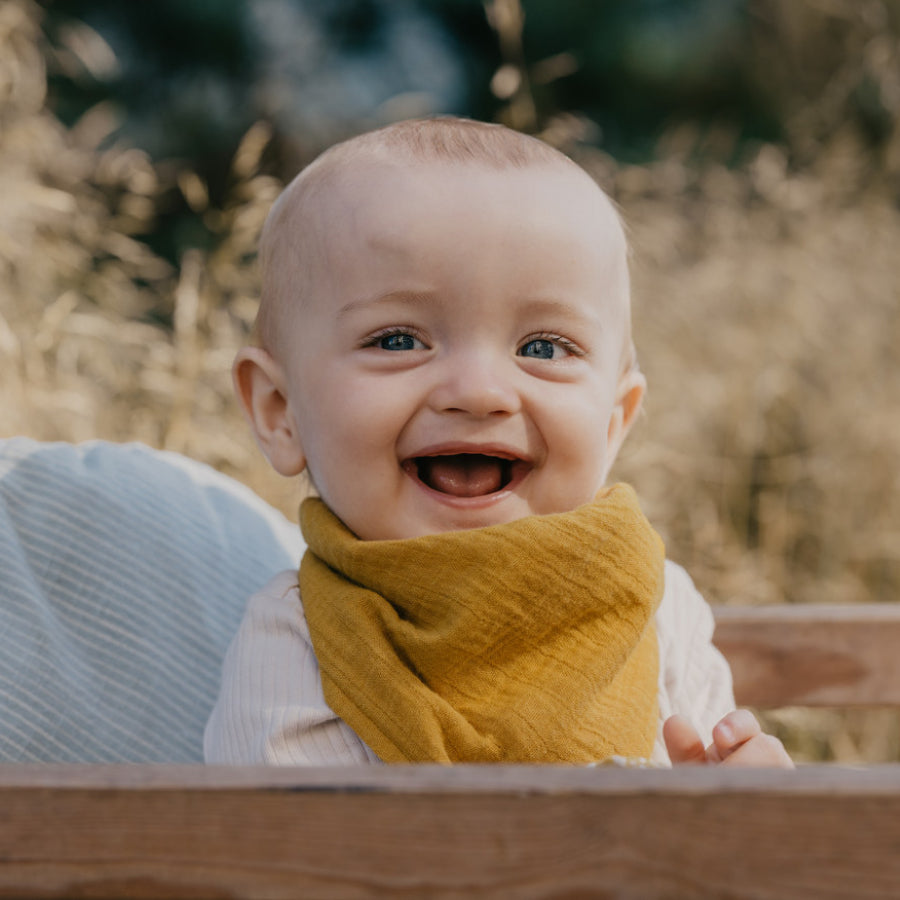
(531, 641)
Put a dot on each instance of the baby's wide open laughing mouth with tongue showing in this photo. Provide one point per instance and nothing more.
(467, 474)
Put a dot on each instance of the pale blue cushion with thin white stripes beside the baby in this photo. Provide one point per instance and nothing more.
(123, 575)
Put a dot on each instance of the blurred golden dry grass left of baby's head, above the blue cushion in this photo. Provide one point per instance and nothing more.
(99, 338)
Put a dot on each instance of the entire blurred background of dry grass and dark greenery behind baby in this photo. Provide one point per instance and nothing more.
(753, 147)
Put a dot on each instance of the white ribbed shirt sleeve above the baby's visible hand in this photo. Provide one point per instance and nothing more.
(694, 677)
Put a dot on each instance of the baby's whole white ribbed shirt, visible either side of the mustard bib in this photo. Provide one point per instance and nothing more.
(271, 708)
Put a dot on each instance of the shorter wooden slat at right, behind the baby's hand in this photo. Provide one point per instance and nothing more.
(812, 655)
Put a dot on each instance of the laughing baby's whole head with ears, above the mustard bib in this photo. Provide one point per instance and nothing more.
(444, 334)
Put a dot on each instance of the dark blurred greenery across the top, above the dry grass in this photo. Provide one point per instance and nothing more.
(185, 79)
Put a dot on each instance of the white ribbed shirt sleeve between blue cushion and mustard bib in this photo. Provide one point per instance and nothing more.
(270, 708)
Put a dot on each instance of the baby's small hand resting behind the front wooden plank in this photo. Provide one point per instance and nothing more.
(738, 740)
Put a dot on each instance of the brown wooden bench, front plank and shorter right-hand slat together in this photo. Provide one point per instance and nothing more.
(503, 831)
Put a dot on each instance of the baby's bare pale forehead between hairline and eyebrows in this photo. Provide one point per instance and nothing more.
(446, 207)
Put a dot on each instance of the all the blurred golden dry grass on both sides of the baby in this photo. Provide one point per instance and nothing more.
(767, 308)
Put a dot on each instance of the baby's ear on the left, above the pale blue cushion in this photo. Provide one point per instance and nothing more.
(259, 382)
